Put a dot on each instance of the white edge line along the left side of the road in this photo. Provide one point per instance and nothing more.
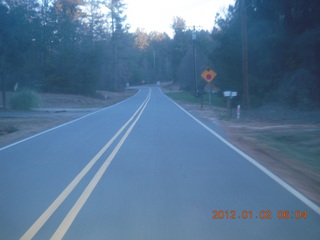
(64, 124)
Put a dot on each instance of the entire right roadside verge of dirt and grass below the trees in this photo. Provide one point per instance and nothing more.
(285, 142)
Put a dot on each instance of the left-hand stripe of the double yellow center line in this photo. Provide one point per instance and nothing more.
(38, 224)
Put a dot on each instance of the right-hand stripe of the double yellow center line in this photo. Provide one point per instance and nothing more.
(68, 220)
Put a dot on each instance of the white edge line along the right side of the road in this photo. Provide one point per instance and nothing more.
(288, 187)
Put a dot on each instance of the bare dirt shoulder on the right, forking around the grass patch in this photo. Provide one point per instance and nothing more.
(244, 135)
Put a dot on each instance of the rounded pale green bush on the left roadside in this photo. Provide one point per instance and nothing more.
(24, 100)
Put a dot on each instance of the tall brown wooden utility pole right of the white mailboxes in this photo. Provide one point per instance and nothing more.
(244, 54)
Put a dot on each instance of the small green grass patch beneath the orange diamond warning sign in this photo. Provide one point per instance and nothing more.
(190, 98)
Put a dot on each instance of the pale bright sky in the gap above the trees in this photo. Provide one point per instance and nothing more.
(158, 15)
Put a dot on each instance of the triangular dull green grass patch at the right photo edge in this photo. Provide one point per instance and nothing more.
(300, 144)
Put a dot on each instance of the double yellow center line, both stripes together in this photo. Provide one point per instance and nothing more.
(66, 223)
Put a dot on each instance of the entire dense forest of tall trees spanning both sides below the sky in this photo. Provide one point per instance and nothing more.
(79, 46)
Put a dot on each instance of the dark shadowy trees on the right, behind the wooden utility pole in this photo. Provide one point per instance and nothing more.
(283, 51)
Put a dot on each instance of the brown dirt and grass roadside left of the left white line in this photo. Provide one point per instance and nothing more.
(55, 110)
